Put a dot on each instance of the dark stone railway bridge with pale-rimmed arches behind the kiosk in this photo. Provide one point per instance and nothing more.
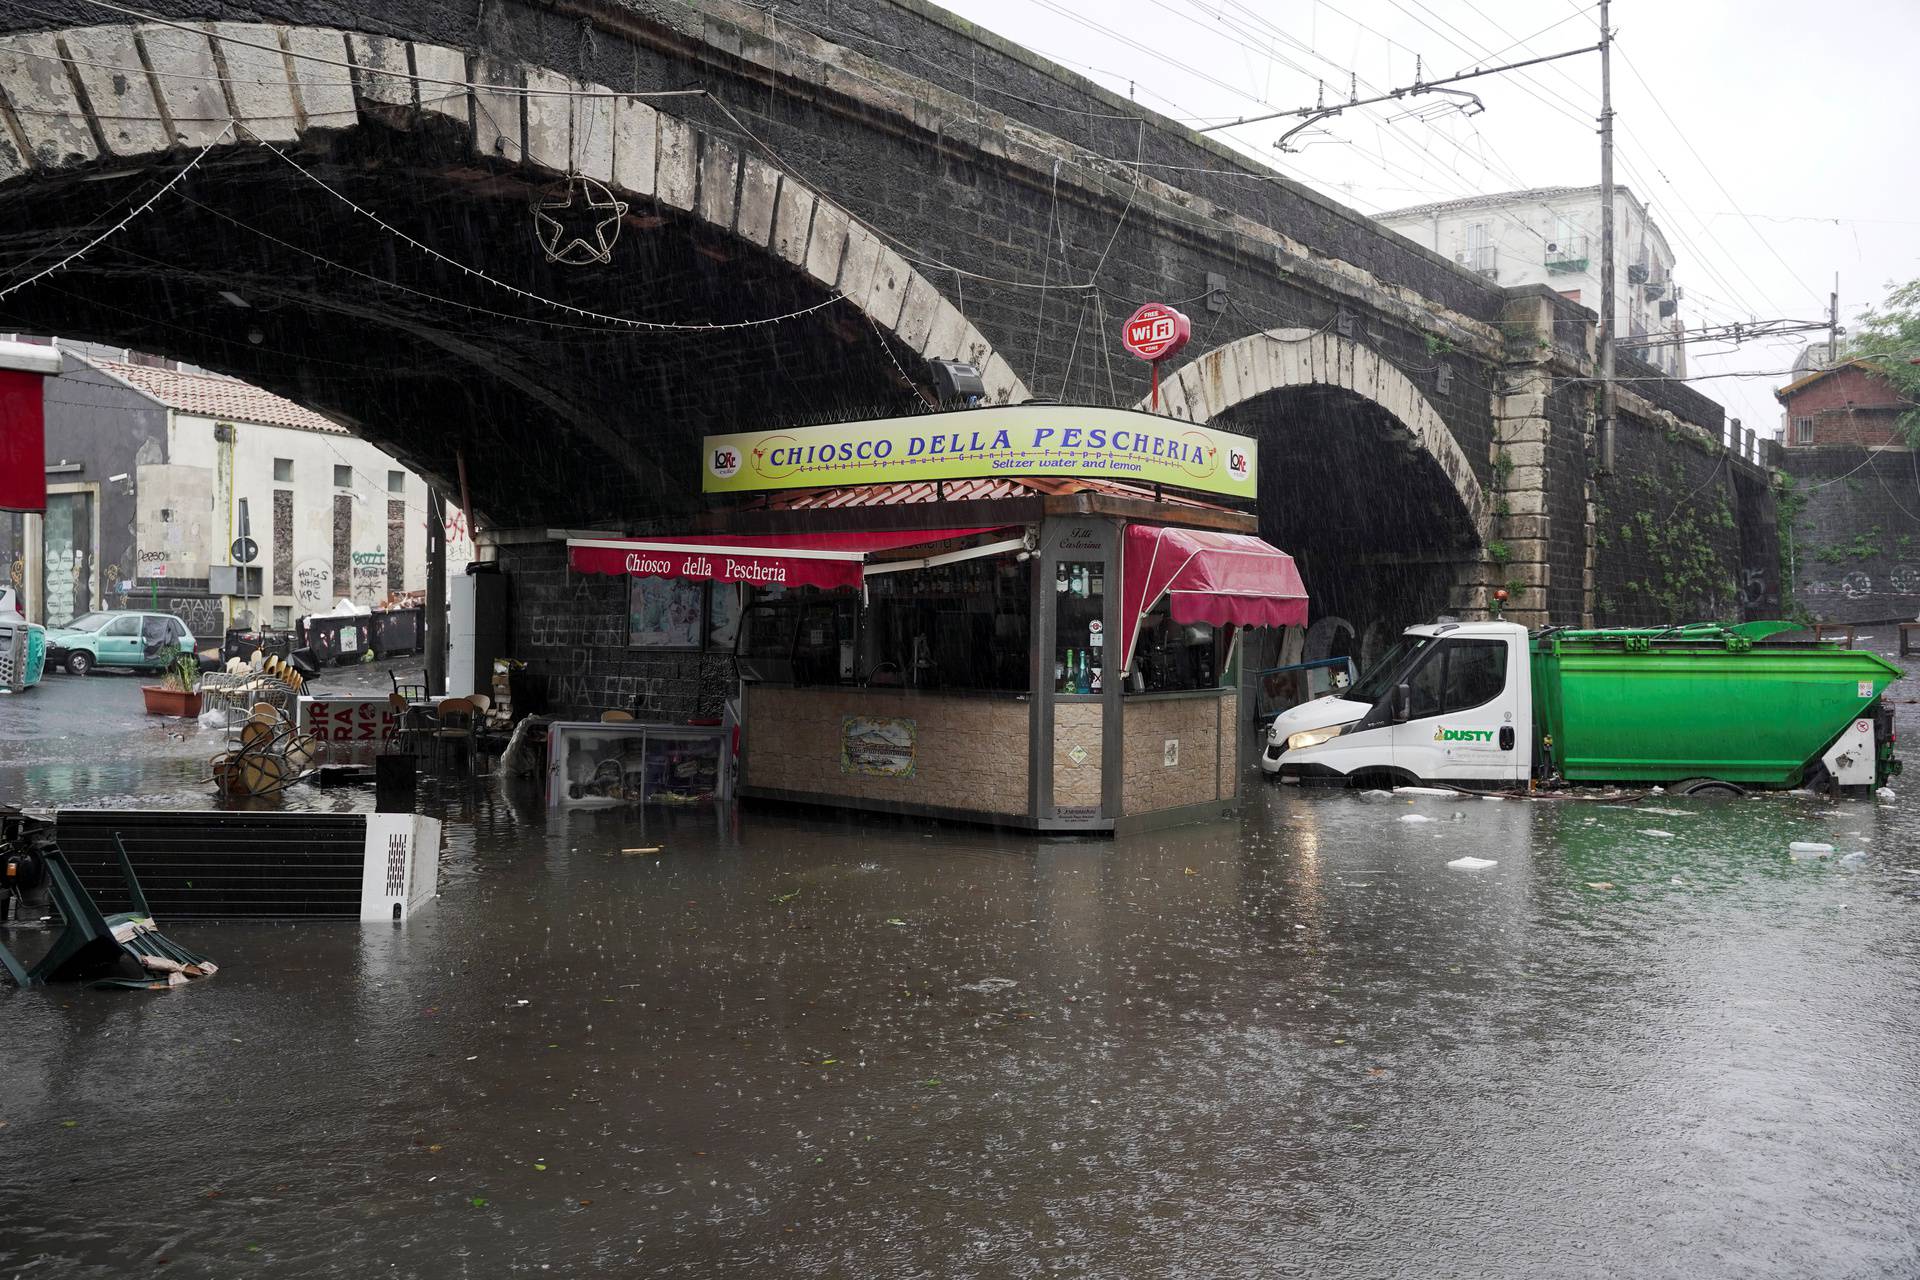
(817, 202)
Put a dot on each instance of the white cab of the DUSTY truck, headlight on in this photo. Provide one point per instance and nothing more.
(1452, 703)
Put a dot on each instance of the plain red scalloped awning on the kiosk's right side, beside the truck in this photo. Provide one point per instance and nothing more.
(1205, 577)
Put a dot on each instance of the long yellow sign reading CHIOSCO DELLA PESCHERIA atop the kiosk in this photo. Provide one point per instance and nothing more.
(967, 444)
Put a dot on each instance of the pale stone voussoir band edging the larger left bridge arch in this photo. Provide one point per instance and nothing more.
(124, 95)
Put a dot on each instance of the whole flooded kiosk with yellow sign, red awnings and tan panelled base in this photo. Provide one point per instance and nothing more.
(1024, 617)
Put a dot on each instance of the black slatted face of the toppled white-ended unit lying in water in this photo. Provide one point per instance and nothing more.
(216, 865)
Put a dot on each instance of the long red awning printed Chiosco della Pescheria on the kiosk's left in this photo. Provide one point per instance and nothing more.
(825, 561)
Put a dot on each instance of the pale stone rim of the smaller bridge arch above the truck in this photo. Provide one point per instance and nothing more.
(1285, 358)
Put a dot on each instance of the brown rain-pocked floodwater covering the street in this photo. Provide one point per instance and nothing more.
(1646, 1043)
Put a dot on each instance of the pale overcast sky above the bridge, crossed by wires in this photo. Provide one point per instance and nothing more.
(1773, 147)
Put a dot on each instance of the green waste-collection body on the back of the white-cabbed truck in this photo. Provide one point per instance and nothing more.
(1700, 701)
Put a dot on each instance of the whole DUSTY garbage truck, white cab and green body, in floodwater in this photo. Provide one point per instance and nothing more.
(1691, 709)
